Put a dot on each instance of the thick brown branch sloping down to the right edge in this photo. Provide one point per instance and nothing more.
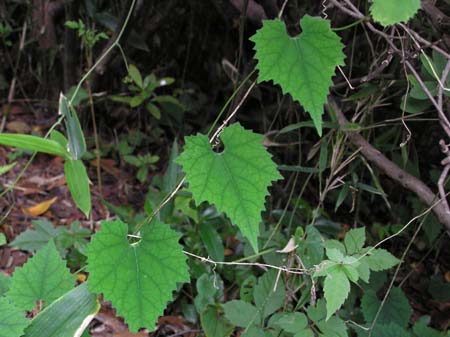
(408, 181)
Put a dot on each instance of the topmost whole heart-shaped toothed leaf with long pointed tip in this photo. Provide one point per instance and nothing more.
(303, 66)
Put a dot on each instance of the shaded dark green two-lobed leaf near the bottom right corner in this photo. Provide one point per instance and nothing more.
(396, 309)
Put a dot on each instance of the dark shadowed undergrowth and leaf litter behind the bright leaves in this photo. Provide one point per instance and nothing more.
(204, 46)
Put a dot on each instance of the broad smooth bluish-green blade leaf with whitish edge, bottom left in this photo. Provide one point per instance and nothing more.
(69, 315)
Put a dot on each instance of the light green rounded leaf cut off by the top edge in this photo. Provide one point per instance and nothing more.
(388, 12)
